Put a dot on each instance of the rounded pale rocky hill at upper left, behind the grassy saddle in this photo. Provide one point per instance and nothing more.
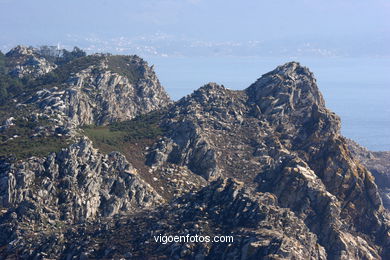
(90, 90)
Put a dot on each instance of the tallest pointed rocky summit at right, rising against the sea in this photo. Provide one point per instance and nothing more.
(289, 98)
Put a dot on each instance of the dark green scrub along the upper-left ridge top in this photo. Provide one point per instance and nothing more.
(69, 62)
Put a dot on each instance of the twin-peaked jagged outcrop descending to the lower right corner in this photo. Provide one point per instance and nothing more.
(277, 136)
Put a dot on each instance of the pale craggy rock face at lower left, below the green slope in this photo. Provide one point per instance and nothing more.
(75, 185)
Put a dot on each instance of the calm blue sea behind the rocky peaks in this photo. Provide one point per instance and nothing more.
(357, 89)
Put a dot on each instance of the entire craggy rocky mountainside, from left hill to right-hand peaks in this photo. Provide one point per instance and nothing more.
(266, 165)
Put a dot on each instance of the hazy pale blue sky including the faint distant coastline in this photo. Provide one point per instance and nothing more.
(185, 27)
